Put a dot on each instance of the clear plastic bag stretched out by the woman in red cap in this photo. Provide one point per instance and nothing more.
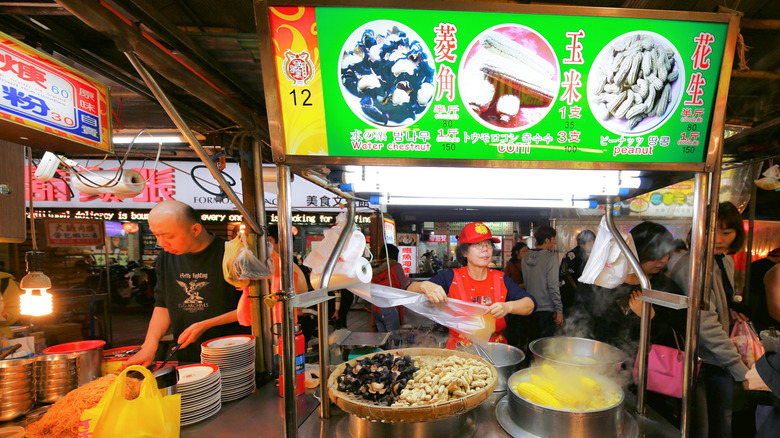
(471, 320)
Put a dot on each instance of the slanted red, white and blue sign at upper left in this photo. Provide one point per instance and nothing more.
(45, 103)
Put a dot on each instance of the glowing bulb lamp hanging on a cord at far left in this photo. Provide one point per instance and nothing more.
(32, 303)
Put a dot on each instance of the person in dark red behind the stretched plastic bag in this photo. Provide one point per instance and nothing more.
(388, 272)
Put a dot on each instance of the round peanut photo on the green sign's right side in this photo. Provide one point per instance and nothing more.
(635, 83)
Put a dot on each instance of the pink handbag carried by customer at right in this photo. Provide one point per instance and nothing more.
(664, 369)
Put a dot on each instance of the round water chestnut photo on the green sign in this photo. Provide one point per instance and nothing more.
(387, 74)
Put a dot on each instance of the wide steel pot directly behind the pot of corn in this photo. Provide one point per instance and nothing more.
(584, 354)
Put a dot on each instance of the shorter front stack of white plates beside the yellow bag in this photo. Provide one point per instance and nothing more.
(201, 392)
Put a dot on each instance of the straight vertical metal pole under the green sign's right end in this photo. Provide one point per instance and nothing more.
(698, 243)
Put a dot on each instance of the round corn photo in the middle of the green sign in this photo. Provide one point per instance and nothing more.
(509, 78)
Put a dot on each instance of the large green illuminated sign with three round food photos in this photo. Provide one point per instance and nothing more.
(559, 86)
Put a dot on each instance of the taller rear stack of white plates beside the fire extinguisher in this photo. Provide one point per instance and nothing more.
(235, 356)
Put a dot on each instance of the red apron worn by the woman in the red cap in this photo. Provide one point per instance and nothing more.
(462, 288)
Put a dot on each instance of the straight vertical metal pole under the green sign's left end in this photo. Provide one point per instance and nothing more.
(286, 294)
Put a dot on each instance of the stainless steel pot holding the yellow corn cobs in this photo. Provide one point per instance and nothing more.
(552, 423)
